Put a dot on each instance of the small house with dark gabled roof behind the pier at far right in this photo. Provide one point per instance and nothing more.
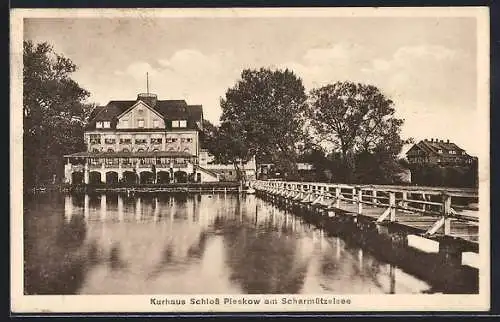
(438, 152)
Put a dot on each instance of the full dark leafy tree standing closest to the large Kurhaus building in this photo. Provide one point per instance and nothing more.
(263, 117)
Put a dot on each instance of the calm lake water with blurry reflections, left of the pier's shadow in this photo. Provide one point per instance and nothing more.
(191, 244)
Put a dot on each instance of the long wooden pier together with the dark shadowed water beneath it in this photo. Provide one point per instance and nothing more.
(433, 232)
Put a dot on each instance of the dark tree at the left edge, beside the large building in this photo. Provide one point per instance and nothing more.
(54, 112)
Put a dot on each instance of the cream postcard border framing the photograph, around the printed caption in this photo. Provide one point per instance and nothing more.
(141, 303)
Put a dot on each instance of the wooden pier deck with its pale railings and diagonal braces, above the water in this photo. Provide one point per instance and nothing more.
(445, 204)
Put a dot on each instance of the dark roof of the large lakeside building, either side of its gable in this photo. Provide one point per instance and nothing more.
(169, 109)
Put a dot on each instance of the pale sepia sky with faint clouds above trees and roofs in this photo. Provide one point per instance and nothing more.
(426, 65)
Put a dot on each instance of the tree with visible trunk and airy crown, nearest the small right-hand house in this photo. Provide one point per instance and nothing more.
(355, 119)
